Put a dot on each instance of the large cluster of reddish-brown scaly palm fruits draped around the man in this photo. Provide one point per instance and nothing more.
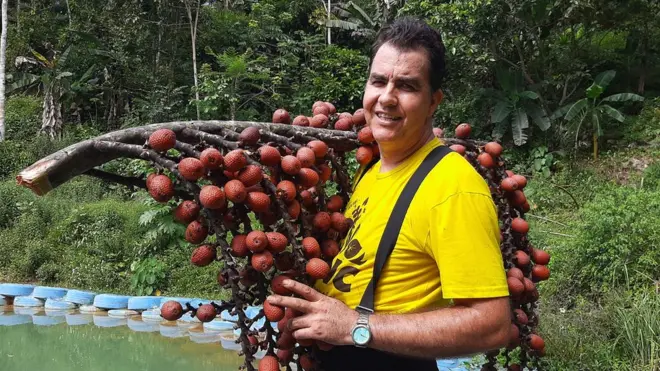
(222, 184)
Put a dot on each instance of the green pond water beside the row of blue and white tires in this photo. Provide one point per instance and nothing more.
(32, 339)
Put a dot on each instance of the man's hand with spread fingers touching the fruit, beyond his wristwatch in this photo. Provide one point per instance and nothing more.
(323, 318)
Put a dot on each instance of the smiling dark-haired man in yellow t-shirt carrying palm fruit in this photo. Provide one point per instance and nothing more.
(442, 292)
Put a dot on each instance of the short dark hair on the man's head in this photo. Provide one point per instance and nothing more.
(409, 33)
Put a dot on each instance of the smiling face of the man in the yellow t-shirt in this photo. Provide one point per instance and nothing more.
(397, 99)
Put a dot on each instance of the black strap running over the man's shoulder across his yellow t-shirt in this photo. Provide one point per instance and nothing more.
(393, 226)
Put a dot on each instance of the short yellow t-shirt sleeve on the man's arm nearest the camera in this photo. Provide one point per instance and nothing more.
(464, 241)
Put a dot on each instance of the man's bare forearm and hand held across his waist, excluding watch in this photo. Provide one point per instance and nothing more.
(471, 326)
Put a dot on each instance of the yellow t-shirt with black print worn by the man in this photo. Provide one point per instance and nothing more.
(448, 246)
